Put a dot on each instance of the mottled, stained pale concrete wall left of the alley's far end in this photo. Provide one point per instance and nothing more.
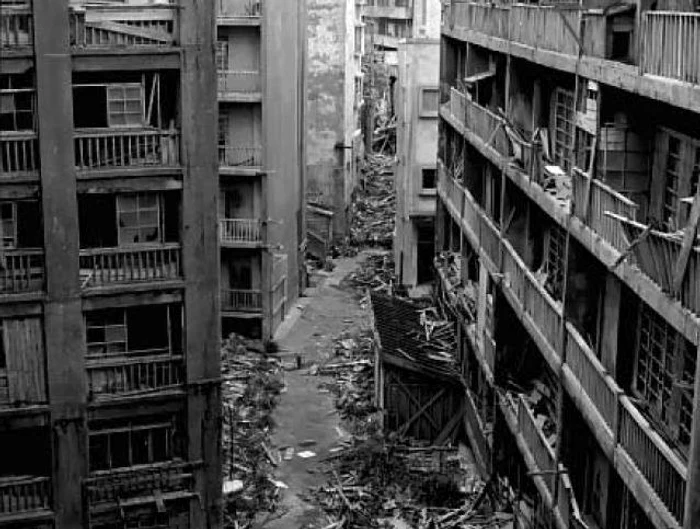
(330, 95)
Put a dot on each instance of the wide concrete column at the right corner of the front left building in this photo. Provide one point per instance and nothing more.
(200, 248)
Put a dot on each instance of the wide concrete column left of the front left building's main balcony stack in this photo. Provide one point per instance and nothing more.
(63, 328)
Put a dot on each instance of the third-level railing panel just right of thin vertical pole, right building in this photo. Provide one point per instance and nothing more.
(595, 381)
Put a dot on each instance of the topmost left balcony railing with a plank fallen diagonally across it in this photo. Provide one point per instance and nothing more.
(118, 25)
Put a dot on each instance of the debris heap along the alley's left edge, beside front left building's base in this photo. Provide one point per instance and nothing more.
(251, 385)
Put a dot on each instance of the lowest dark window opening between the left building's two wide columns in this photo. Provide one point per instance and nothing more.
(123, 444)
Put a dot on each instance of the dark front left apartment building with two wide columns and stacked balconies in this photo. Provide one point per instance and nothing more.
(109, 266)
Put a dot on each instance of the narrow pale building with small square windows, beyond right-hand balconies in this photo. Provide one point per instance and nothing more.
(417, 103)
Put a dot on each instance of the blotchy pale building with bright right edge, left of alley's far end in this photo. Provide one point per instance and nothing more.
(335, 47)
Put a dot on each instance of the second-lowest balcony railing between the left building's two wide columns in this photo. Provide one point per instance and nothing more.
(127, 376)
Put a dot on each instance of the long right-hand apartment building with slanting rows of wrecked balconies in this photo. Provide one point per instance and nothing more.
(568, 205)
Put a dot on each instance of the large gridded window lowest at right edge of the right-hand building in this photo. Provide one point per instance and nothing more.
(664, 376)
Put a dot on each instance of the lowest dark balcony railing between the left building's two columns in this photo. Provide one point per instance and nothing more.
(111, 486)
